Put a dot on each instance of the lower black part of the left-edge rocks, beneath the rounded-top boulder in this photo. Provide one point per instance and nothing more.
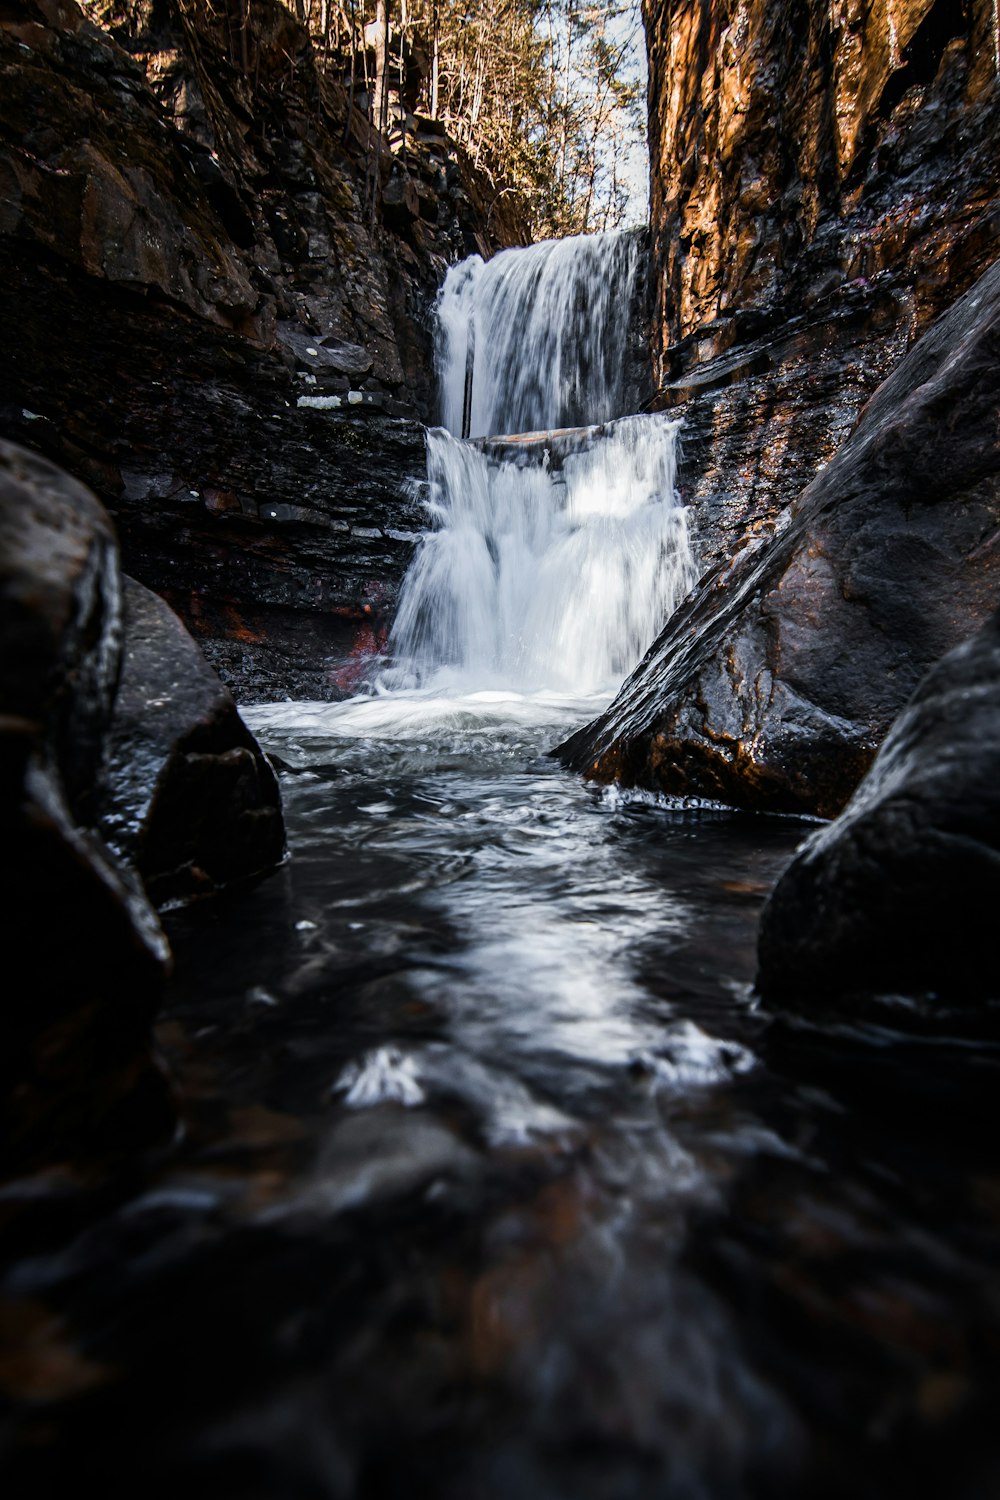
(86, 962)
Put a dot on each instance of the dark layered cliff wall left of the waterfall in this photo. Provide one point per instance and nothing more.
(215, 328)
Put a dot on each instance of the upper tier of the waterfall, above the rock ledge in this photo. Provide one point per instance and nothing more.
(536, 338)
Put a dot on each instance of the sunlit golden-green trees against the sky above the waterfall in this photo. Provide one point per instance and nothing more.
(545, 95)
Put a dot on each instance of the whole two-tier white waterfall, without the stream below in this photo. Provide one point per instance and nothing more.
(557, 553)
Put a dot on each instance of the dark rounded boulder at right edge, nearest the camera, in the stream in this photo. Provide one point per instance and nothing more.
(900, 893)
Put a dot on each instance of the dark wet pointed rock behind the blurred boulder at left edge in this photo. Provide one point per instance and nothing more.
(190, 802)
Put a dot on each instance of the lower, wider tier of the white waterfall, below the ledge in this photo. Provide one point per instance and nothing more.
(554, 574)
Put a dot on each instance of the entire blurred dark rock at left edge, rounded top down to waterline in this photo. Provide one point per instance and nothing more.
(86, 958)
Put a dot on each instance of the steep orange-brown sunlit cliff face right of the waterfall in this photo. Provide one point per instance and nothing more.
(824, 185)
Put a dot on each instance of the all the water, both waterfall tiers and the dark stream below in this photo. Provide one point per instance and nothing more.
(496, 1183)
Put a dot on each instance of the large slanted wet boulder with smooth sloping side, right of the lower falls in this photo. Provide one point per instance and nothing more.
(782, 673)
